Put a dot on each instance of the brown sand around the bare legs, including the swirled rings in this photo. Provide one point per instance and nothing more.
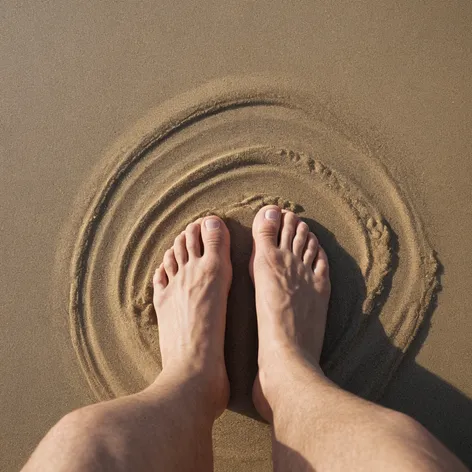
(110, 148)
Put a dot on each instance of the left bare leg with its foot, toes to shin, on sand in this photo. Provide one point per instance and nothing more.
(166, 427)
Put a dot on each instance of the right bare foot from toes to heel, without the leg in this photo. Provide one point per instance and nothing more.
(291, 277)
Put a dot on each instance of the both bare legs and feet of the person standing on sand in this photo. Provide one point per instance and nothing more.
(316, 426)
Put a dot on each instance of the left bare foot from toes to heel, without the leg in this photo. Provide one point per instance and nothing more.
(190, 295)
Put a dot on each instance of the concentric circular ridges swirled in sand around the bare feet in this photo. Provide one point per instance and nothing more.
(230, 148)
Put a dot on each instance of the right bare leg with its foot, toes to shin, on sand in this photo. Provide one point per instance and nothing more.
(316, 425)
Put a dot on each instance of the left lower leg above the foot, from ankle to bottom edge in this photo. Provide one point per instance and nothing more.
(145, 431)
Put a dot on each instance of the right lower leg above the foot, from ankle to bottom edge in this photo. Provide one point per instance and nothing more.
(320, 426)
